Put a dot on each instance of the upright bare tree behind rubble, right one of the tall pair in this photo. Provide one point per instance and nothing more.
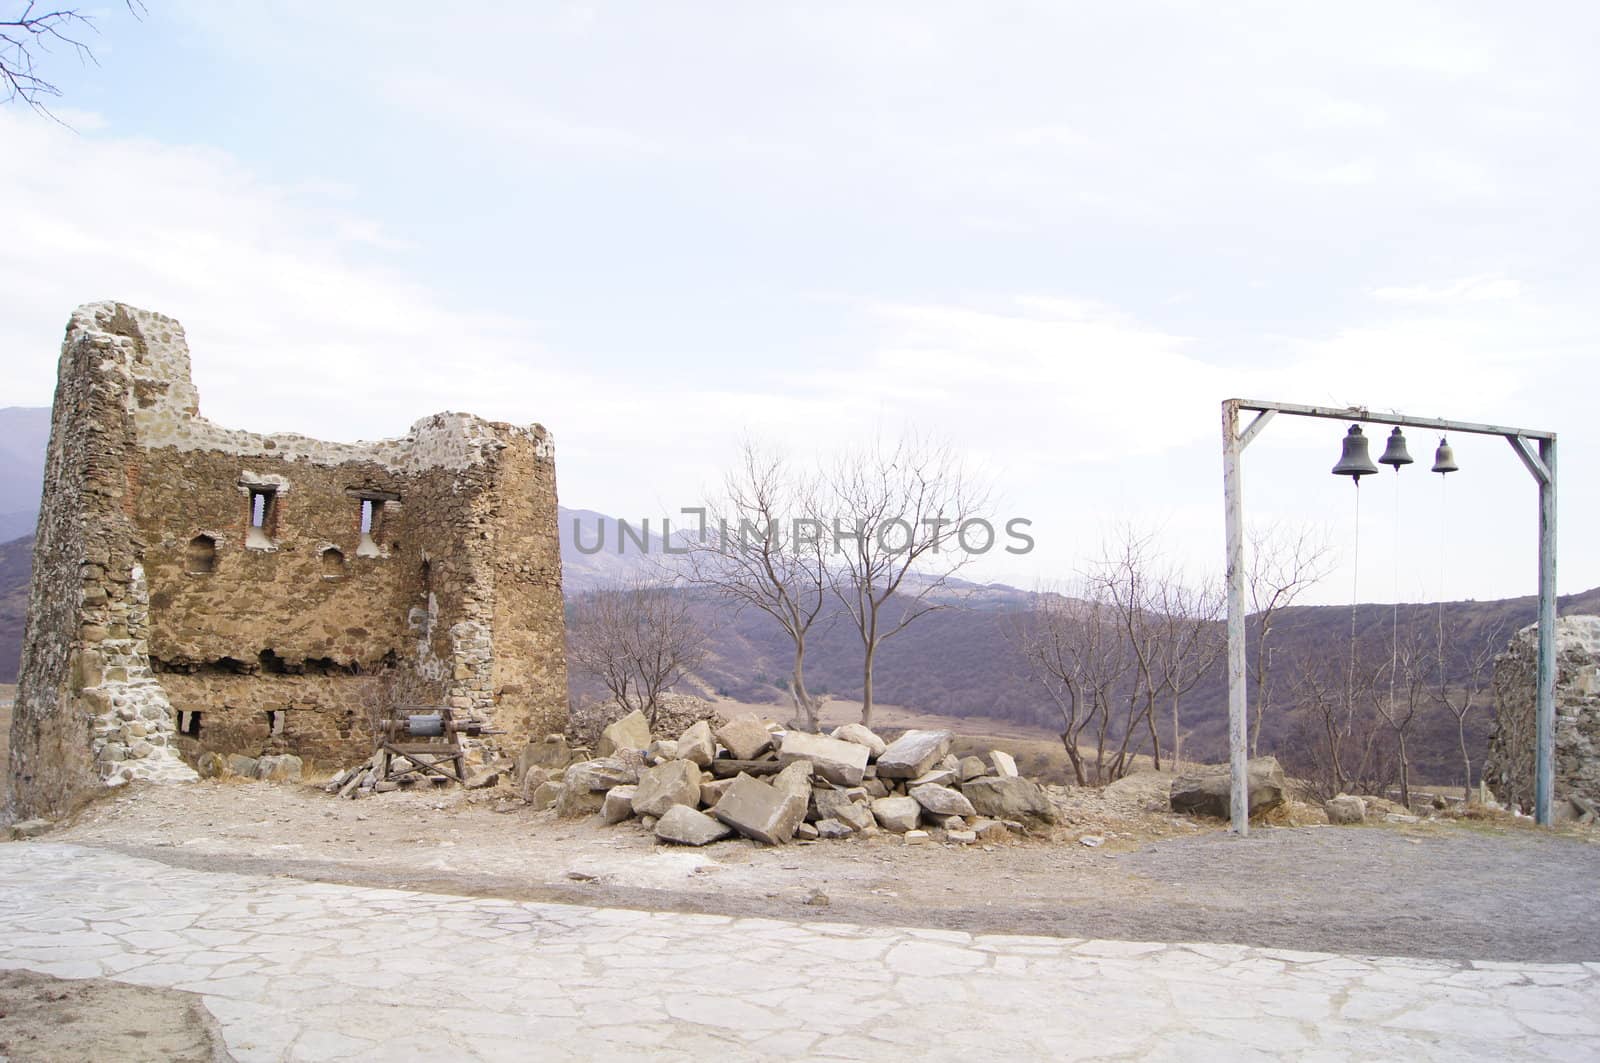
(902, 518)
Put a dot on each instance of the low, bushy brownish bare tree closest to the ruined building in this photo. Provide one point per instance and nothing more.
(638, 640)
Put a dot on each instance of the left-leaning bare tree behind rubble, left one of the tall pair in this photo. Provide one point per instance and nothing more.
(770, 556)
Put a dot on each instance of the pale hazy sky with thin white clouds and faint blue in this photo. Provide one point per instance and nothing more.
(1058, 235)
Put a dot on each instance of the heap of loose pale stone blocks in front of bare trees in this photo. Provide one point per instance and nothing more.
(753, 779)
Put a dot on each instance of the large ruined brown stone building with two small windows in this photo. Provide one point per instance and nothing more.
(199, 588)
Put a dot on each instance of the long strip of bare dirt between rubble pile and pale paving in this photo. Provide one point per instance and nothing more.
(1436, 889)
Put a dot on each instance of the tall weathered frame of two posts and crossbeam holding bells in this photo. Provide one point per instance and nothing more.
(1538, 463)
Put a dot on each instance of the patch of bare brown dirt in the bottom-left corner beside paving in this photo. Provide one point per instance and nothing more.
(49, 1021)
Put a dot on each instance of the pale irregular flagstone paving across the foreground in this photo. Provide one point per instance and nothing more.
(303, 971)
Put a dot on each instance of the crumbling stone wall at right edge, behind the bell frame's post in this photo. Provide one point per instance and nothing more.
(1510, 763)
